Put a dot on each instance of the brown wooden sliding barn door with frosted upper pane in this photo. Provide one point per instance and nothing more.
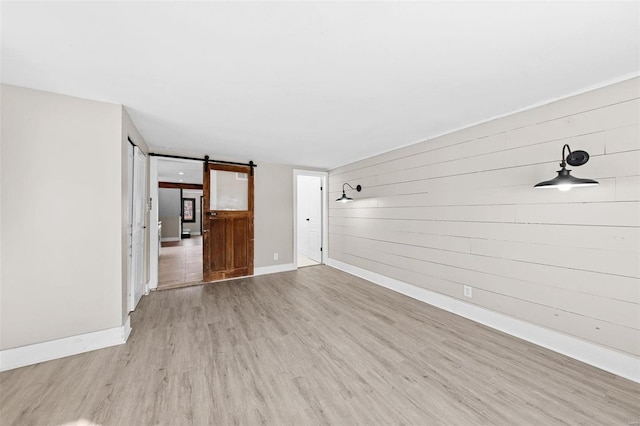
(227, 222)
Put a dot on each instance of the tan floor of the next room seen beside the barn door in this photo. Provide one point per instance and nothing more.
(180, 262)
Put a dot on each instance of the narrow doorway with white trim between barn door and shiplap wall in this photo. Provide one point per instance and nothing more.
(309, 218)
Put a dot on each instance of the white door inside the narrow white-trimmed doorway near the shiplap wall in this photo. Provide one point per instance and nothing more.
(310, 217)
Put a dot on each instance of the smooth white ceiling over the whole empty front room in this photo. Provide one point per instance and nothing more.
(315, 83)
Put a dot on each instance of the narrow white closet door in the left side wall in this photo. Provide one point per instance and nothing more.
(138, 226)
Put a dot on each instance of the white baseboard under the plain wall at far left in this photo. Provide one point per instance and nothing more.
(60, 348)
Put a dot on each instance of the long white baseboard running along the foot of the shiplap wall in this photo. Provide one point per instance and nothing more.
(607, 359)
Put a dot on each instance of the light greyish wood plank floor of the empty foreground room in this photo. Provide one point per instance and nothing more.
(312, 346)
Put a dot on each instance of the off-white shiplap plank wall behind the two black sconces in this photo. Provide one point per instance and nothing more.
(461, 210)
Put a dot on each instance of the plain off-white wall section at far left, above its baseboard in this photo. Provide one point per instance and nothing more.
(61, 216)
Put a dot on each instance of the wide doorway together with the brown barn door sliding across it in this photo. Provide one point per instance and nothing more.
(209, 236)
